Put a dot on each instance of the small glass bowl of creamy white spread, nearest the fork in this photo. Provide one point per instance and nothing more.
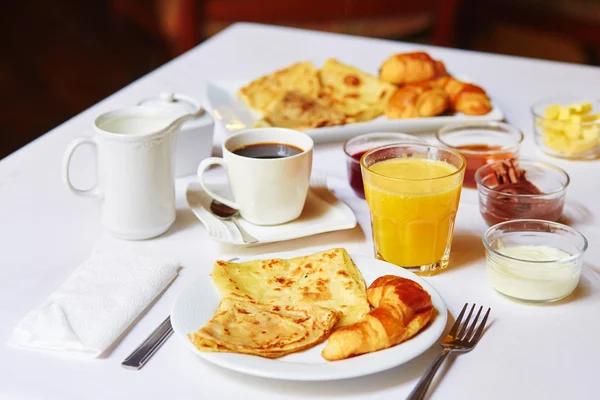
(550, 276)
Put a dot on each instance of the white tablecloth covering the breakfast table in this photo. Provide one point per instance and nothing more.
(528, 352)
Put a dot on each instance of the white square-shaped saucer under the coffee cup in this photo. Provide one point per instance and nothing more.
(323, 212)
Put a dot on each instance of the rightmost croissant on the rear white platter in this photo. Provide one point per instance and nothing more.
(466, 98)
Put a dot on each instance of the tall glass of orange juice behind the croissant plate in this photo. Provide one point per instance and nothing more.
(413, 192)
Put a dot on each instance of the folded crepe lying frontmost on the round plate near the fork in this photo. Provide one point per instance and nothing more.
(245, 326)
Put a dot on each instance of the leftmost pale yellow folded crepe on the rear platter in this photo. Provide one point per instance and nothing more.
(263, 92)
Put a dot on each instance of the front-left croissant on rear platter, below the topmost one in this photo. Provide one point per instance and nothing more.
(417, 100)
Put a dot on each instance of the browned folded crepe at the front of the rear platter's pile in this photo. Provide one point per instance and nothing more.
(298, 111)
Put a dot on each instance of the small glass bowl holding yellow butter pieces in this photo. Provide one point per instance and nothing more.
(566, 139)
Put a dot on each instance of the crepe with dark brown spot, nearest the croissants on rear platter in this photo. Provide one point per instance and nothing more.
(359, 95)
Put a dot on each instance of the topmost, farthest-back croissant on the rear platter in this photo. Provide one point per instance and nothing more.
(411, 68)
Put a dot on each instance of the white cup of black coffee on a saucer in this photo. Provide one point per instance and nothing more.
(266, 191)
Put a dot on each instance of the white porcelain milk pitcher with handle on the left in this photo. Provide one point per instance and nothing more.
(135, 170)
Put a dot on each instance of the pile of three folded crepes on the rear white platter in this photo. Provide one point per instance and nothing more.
(303, 97)
